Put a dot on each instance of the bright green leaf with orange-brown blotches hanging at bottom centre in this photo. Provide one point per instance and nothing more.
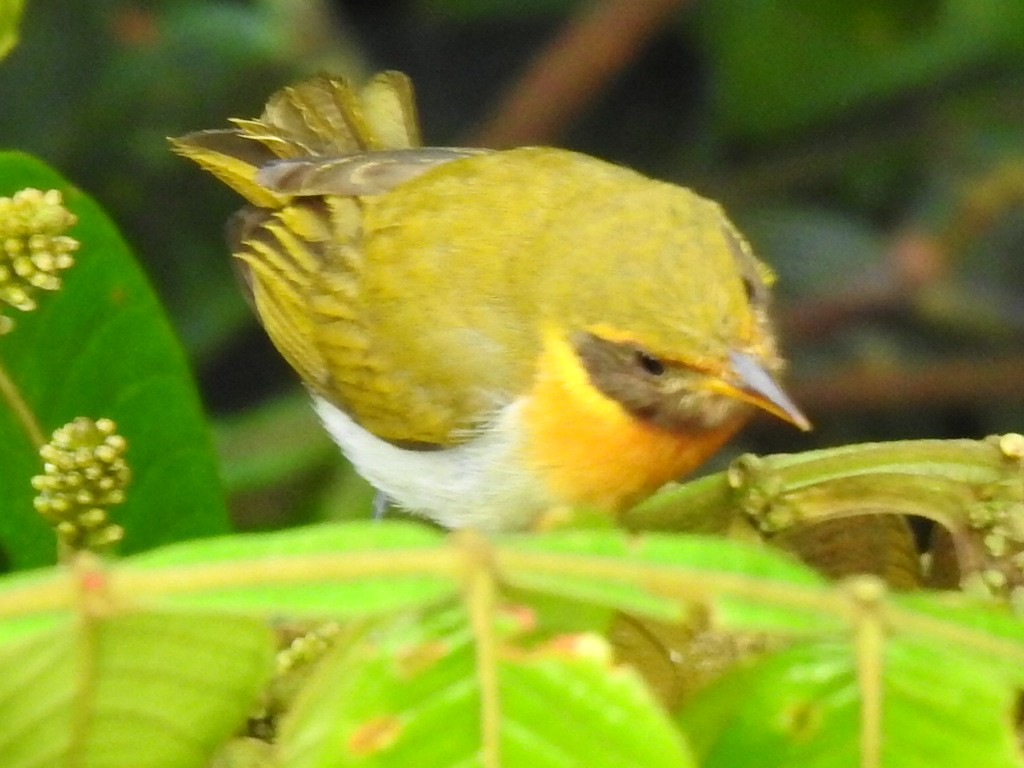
(408, 695)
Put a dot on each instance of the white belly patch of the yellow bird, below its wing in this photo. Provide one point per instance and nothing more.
(481, 484)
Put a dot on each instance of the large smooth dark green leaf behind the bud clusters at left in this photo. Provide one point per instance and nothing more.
(102, 348)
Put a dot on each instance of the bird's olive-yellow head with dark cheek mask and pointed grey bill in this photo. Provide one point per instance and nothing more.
(685, 339)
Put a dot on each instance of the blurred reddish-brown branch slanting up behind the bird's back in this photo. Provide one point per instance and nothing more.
(574, 68)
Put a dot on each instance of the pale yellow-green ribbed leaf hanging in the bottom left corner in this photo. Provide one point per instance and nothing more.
(161, 691)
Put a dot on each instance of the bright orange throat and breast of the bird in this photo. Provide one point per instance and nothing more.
(588, 450)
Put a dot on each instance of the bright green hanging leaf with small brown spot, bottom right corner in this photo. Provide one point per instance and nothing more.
(803, 707)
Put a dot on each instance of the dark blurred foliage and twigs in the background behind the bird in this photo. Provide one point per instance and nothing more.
(873, 151)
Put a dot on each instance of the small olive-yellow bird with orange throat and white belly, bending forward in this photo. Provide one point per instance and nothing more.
(492, 335)
